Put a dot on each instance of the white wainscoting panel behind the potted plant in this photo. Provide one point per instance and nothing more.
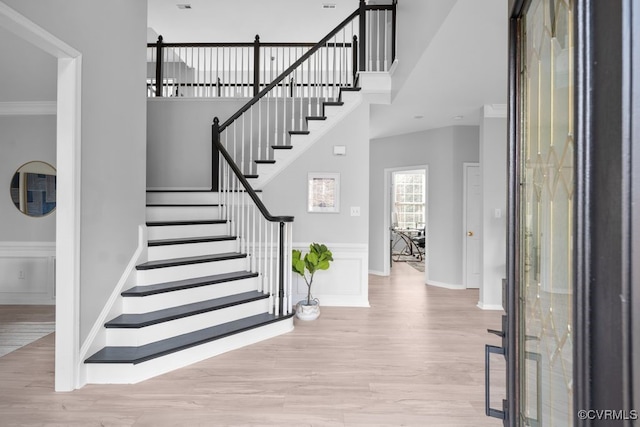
(345, 284)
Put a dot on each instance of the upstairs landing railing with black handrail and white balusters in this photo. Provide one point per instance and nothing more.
(243, 69)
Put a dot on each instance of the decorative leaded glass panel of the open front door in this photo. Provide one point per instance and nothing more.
(546, 213)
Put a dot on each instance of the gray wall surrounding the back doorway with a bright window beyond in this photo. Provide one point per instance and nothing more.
(444, 150)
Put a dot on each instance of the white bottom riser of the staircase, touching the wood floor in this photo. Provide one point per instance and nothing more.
(129, 373)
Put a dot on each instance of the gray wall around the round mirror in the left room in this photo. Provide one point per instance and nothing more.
(23, 139)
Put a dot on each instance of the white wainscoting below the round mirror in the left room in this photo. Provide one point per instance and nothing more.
(27, 272)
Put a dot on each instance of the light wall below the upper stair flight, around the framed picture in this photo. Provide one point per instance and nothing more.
(346, 283)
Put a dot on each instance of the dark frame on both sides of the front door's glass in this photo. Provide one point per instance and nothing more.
(606, 280)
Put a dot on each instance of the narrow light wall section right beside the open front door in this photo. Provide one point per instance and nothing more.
(493, 169)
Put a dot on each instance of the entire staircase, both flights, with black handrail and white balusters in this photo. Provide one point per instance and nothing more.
(215, 275)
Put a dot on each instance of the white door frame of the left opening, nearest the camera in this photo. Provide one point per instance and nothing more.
(68, 161)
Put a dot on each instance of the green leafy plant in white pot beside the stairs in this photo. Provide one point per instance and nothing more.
(318, 258)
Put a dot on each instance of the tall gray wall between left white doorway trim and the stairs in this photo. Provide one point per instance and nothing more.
(113, 133)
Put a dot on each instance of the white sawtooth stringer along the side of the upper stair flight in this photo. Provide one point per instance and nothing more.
(334, 114)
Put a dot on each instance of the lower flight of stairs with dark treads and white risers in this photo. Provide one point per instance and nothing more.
(194, 298)
